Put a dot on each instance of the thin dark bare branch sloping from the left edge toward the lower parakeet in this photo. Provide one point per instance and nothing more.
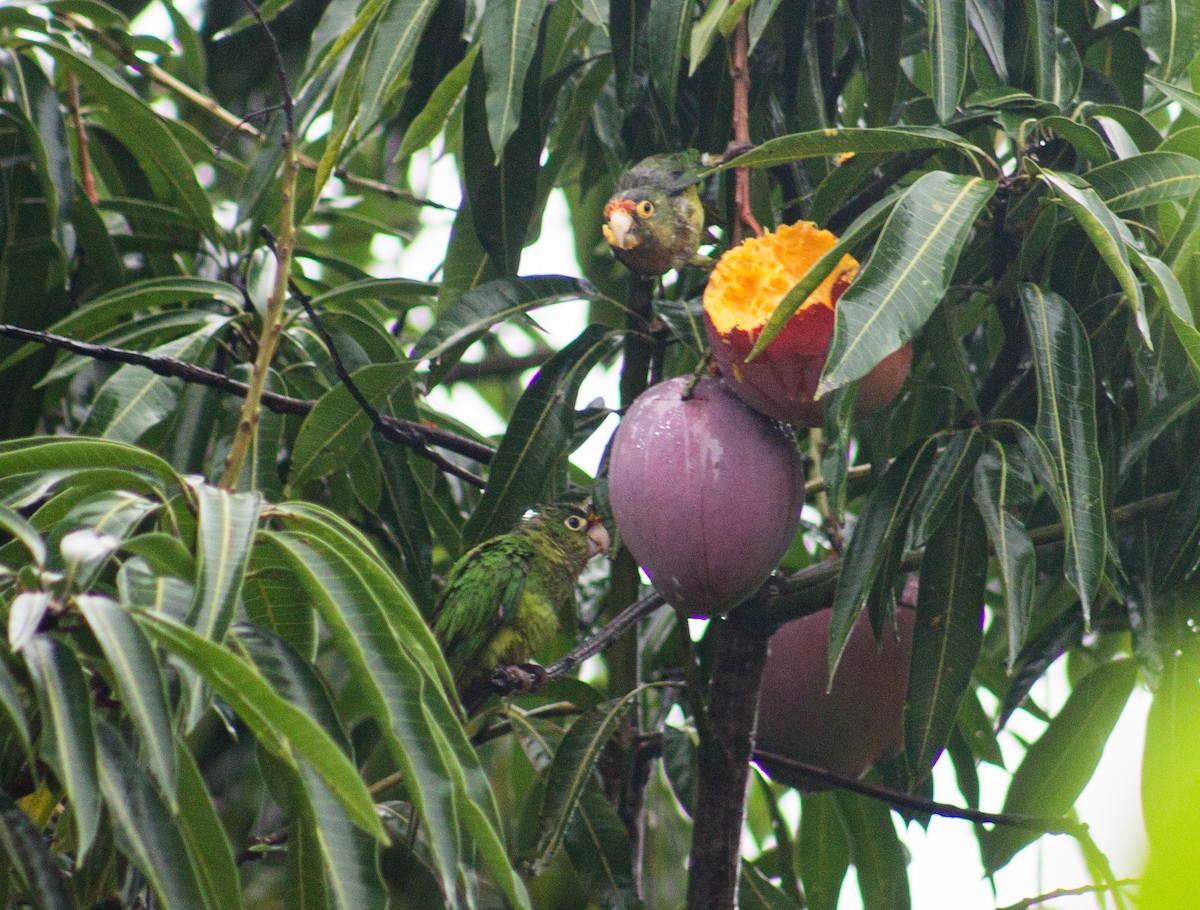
(406, 433)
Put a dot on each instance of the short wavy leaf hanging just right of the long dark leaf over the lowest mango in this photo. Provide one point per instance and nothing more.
(1011, 542)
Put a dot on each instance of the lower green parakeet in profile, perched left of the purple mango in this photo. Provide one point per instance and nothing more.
(501, 600)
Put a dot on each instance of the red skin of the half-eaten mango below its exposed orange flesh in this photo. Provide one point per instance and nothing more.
(782, 380)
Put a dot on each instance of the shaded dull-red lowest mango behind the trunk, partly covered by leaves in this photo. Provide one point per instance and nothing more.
(860, 722)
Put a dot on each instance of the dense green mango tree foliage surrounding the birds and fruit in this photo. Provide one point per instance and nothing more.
(219, 687)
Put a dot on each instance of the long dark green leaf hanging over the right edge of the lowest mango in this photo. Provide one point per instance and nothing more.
(947, 636)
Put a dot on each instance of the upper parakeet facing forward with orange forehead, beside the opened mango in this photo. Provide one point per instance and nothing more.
(655, 220)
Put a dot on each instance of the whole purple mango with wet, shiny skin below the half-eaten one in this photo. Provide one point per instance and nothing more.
(706, 494)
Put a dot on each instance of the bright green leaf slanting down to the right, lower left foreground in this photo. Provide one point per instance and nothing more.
(284, 729)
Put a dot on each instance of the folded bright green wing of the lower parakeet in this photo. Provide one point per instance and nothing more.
(484, 590)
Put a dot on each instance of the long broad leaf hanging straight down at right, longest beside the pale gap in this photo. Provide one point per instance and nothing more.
(1063, 363)
